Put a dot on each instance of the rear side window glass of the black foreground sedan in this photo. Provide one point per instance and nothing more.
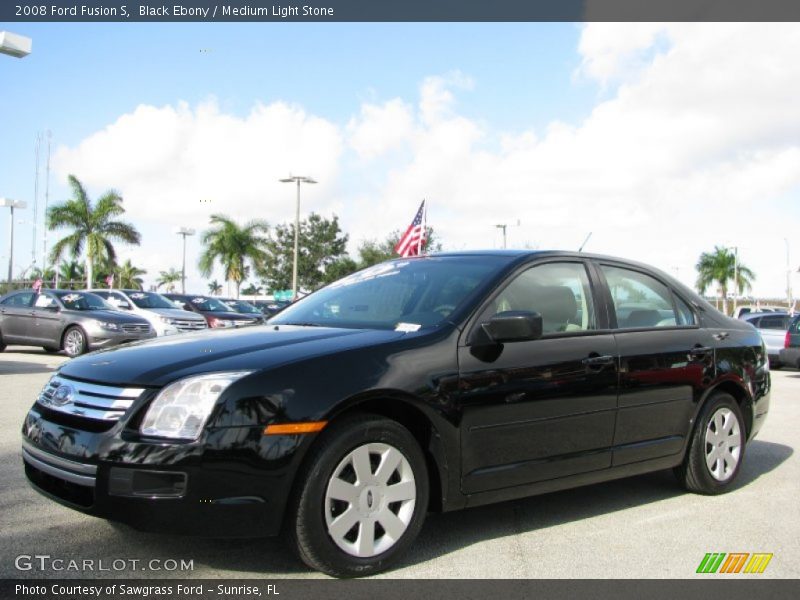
(640, 301)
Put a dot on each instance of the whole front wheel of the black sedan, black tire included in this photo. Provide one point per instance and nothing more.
(328, 488)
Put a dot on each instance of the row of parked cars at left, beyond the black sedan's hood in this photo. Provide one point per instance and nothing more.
(79, 321)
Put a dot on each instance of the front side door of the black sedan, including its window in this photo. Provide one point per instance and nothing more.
(545, 408)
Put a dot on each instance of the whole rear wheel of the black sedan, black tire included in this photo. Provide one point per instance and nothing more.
(713, 461)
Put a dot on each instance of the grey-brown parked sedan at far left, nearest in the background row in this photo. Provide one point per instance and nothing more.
(74, 322)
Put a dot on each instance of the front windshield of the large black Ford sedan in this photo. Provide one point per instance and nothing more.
(405, 294)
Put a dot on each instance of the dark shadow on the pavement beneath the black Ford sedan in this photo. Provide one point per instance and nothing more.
(442, 534)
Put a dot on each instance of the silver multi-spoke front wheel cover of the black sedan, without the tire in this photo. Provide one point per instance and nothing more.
(370, 499)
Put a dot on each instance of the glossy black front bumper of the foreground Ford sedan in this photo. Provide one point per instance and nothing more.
(235, 483)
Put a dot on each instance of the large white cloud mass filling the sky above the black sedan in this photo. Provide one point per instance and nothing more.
(695, 143)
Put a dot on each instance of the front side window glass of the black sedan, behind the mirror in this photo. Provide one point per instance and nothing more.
(560, 292)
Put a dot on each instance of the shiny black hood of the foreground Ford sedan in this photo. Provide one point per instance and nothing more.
(158, 362)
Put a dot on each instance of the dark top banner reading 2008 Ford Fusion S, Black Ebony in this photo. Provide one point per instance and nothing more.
(399, 10)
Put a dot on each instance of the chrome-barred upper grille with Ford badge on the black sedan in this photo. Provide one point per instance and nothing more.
(88, 400)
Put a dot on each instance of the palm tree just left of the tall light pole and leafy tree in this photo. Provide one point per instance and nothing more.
(233, 246)
